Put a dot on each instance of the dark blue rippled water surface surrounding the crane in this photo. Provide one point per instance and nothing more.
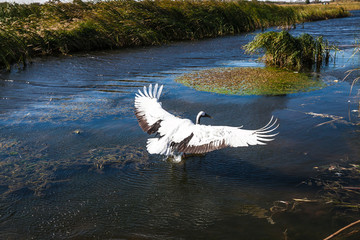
(74, 163)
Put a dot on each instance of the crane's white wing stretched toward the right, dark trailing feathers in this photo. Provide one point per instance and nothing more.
(203, 138)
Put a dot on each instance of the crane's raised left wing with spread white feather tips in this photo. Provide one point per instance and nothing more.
(148, 109)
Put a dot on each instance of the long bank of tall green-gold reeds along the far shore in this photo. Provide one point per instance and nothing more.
(61, 28)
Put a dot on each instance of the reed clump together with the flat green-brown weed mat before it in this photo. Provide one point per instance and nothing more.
(285, 57)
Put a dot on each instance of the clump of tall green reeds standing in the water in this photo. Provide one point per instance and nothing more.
(294, 53)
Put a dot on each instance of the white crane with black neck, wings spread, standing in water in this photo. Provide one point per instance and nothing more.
(179, 136)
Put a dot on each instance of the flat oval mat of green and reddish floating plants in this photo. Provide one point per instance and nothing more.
(250, 81)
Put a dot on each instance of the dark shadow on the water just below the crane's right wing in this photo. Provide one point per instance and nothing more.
(221, 168)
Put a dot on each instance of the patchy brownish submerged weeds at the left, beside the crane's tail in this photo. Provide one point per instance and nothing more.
(27, 166)
